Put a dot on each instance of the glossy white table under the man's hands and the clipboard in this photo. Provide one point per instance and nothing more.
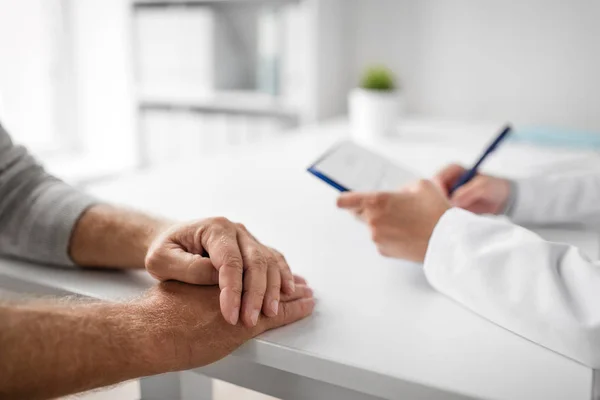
(379, 331)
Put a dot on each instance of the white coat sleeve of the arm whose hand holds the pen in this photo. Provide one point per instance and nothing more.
(571, 198)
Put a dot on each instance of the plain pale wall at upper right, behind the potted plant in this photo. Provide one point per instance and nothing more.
(528, 61)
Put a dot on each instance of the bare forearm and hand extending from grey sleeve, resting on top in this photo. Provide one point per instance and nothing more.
(213, 251)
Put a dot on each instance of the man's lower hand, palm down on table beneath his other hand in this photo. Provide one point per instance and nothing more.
(186, 322)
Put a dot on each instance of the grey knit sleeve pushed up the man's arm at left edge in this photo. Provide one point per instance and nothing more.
(37, 211)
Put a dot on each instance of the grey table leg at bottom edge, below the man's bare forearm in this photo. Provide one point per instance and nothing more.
(176, 386)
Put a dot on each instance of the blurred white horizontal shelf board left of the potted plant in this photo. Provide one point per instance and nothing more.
(227, 102)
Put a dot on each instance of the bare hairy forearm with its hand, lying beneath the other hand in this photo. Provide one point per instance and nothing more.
(50, 349)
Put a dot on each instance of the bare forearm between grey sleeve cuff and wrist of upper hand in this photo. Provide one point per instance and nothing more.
(107, 236)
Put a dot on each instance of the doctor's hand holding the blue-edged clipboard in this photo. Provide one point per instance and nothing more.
(401, 222)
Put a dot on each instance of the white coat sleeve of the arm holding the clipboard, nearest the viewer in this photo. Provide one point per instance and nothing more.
(546, 292)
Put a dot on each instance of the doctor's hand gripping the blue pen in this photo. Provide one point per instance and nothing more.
(484, 194)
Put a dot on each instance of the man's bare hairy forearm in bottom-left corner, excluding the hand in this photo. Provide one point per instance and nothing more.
(54, 350)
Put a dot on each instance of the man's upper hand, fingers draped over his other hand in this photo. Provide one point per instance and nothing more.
(251, 276)
